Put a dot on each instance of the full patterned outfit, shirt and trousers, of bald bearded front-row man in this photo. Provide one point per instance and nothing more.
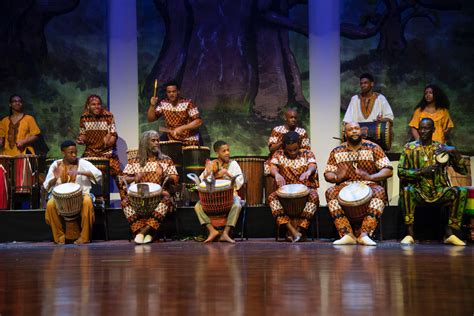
(369, 157)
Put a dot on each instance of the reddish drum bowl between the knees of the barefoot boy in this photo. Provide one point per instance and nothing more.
(219, 201)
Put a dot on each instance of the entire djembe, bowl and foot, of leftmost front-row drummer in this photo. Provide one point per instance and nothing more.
(68, 200)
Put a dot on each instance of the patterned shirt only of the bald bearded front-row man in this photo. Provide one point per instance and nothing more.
(369, 157)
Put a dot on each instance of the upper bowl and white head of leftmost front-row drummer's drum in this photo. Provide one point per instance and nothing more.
(68, 198)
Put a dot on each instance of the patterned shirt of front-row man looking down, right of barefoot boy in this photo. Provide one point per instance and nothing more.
(291, 169)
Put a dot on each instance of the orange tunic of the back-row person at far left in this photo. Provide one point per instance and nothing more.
(26, 127)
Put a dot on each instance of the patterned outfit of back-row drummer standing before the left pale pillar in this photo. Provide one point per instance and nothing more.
(95, 128)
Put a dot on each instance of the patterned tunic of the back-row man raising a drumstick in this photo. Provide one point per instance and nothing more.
(175, 116)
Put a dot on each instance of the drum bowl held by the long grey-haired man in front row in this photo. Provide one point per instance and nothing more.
(144, 203)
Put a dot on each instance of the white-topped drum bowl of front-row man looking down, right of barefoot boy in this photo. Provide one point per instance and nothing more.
(293, 198)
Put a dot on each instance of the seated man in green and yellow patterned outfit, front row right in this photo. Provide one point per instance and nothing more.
(426, 181)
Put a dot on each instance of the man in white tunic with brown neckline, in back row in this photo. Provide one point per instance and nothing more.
(368, 106)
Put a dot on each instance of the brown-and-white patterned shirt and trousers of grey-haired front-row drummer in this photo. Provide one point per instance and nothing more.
(155, 171)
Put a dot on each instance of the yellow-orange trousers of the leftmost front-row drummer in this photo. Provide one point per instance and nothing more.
(54, 220)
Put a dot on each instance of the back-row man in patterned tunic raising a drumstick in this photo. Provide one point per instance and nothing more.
(181, 116)
